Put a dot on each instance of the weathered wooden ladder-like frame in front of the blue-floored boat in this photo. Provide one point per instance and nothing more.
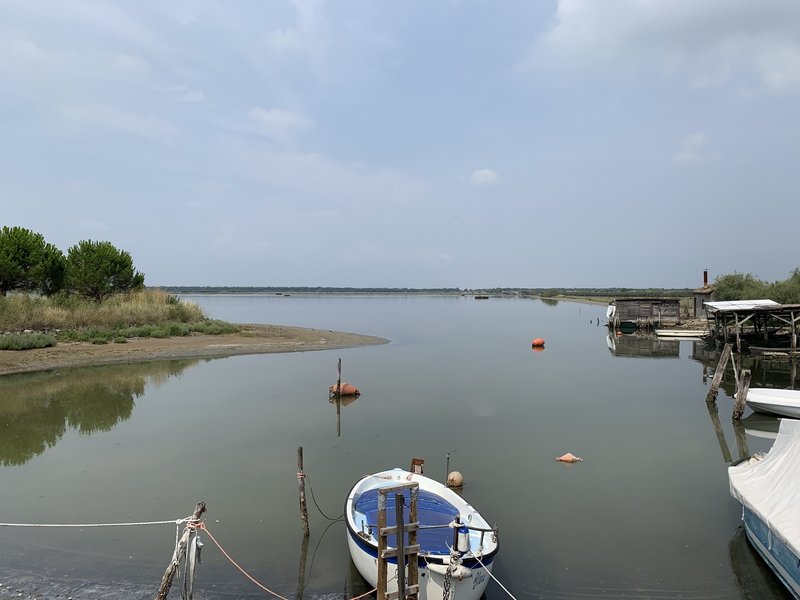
(407, 578)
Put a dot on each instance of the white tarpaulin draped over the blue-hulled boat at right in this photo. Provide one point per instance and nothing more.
(771, 487)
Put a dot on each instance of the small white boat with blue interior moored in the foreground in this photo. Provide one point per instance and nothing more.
(444, 517)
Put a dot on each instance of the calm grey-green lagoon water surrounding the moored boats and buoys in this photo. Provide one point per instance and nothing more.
(646, 515)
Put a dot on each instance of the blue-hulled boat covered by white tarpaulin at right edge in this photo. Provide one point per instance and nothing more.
(769, 491)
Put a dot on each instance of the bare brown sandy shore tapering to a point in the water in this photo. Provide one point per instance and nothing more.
(254, 339)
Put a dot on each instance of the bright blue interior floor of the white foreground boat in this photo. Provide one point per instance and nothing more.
(432, 510)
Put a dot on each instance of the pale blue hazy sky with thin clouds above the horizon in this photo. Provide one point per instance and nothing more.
(415, 143)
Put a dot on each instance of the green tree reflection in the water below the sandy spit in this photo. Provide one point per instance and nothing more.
(36, 410)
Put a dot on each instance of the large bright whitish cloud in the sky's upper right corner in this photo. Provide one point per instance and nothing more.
(711, 42)
